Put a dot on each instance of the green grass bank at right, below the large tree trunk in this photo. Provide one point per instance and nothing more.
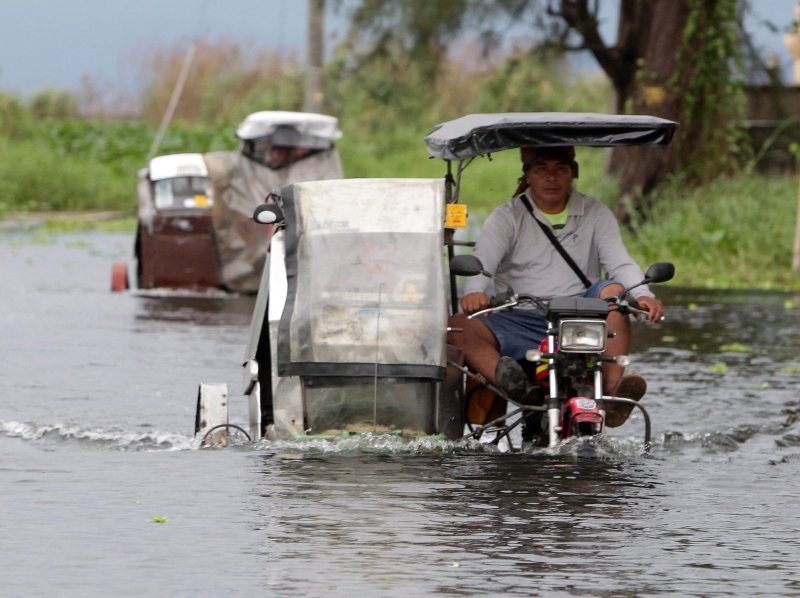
(736, 232)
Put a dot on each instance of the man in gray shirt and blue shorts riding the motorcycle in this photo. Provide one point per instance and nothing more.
(549, 240)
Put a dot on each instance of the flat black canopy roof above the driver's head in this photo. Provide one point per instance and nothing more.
(480, 134)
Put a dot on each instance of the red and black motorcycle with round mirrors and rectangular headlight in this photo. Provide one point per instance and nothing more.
(566, 369)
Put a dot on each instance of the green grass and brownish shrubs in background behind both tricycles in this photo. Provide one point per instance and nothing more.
(734, 231)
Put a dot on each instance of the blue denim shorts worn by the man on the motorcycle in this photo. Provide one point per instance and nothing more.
(519, 330)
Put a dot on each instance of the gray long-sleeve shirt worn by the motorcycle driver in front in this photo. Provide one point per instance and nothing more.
(513, 247)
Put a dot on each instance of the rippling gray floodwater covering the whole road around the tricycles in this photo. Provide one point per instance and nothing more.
(105, 492)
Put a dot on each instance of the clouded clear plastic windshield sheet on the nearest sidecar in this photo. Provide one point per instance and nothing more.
(366, 291)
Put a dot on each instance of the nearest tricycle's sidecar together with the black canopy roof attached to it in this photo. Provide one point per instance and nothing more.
(349, 326)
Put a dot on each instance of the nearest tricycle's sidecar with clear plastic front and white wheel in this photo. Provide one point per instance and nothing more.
(348, 326)
